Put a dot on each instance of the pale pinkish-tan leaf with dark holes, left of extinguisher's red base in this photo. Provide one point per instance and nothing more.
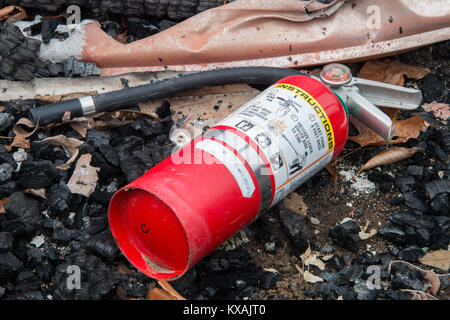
(84, 177)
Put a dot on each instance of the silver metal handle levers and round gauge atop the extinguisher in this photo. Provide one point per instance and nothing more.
(363, 96)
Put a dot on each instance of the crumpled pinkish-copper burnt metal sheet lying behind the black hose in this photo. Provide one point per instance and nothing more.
(288, 33)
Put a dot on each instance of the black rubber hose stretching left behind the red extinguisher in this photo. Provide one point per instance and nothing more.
(116, 100)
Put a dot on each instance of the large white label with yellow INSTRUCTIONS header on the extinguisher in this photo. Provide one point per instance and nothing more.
(292, 130)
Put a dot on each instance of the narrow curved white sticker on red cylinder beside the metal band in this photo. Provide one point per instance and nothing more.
(232, 162)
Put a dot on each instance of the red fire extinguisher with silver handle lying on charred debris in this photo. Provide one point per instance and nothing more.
(185, 207)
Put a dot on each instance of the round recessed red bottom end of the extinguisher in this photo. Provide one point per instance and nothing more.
(149, 233)
